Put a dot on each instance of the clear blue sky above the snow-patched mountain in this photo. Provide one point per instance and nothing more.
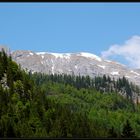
(70, 27)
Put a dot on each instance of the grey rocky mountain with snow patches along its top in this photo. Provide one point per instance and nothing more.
(82, 63)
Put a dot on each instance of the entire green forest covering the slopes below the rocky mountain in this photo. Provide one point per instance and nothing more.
(65, 106)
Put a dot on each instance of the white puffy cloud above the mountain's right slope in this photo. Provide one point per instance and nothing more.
(130, 51)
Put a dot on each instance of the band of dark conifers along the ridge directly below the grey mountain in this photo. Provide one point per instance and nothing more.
(102, 84)
